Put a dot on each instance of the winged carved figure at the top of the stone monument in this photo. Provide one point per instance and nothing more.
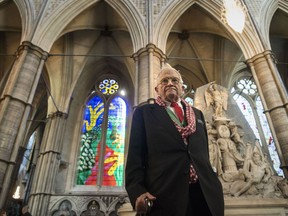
(217, 99)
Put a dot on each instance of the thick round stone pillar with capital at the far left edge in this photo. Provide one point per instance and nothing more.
(15, 105)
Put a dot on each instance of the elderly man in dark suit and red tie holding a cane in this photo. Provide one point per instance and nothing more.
(168, 158)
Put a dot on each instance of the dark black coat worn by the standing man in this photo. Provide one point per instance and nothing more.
(158, 162)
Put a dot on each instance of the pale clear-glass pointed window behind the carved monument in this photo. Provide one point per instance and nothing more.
(246, 95)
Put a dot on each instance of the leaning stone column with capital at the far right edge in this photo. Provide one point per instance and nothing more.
(275, 101)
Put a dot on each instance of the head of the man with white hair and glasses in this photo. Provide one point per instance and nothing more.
(169, 85)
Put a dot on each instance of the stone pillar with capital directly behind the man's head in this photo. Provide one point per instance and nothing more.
(148, 63)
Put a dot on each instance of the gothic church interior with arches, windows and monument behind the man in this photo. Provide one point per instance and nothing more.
(72, 72)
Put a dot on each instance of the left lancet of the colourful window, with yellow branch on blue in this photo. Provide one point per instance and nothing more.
(90, 139)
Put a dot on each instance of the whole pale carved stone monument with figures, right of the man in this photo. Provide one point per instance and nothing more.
(240, 164)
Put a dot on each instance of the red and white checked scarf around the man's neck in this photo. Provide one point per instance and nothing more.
(190, 117)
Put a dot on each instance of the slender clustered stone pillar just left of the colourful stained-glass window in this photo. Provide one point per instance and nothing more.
(48, 162)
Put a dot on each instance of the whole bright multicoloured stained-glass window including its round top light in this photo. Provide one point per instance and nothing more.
(101, 160)
